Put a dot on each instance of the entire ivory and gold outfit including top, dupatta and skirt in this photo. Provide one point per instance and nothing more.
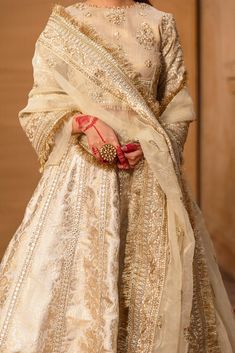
(110, 261)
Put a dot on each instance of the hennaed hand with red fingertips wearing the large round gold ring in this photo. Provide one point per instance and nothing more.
(98, 135)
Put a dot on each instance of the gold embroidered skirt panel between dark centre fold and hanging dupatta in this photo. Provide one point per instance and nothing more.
(140, 294)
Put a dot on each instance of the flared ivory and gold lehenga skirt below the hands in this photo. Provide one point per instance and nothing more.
(86, 270)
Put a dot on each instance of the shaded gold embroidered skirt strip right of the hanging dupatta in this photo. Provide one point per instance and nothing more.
(202, 333)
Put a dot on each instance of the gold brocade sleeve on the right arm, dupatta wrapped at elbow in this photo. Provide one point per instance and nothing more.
(172, 86)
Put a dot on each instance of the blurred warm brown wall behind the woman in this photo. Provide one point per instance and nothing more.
(207, 31)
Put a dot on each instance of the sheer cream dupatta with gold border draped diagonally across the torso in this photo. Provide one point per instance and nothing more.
(70, 60)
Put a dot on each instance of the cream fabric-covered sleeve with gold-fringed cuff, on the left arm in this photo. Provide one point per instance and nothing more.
(49, 110)
